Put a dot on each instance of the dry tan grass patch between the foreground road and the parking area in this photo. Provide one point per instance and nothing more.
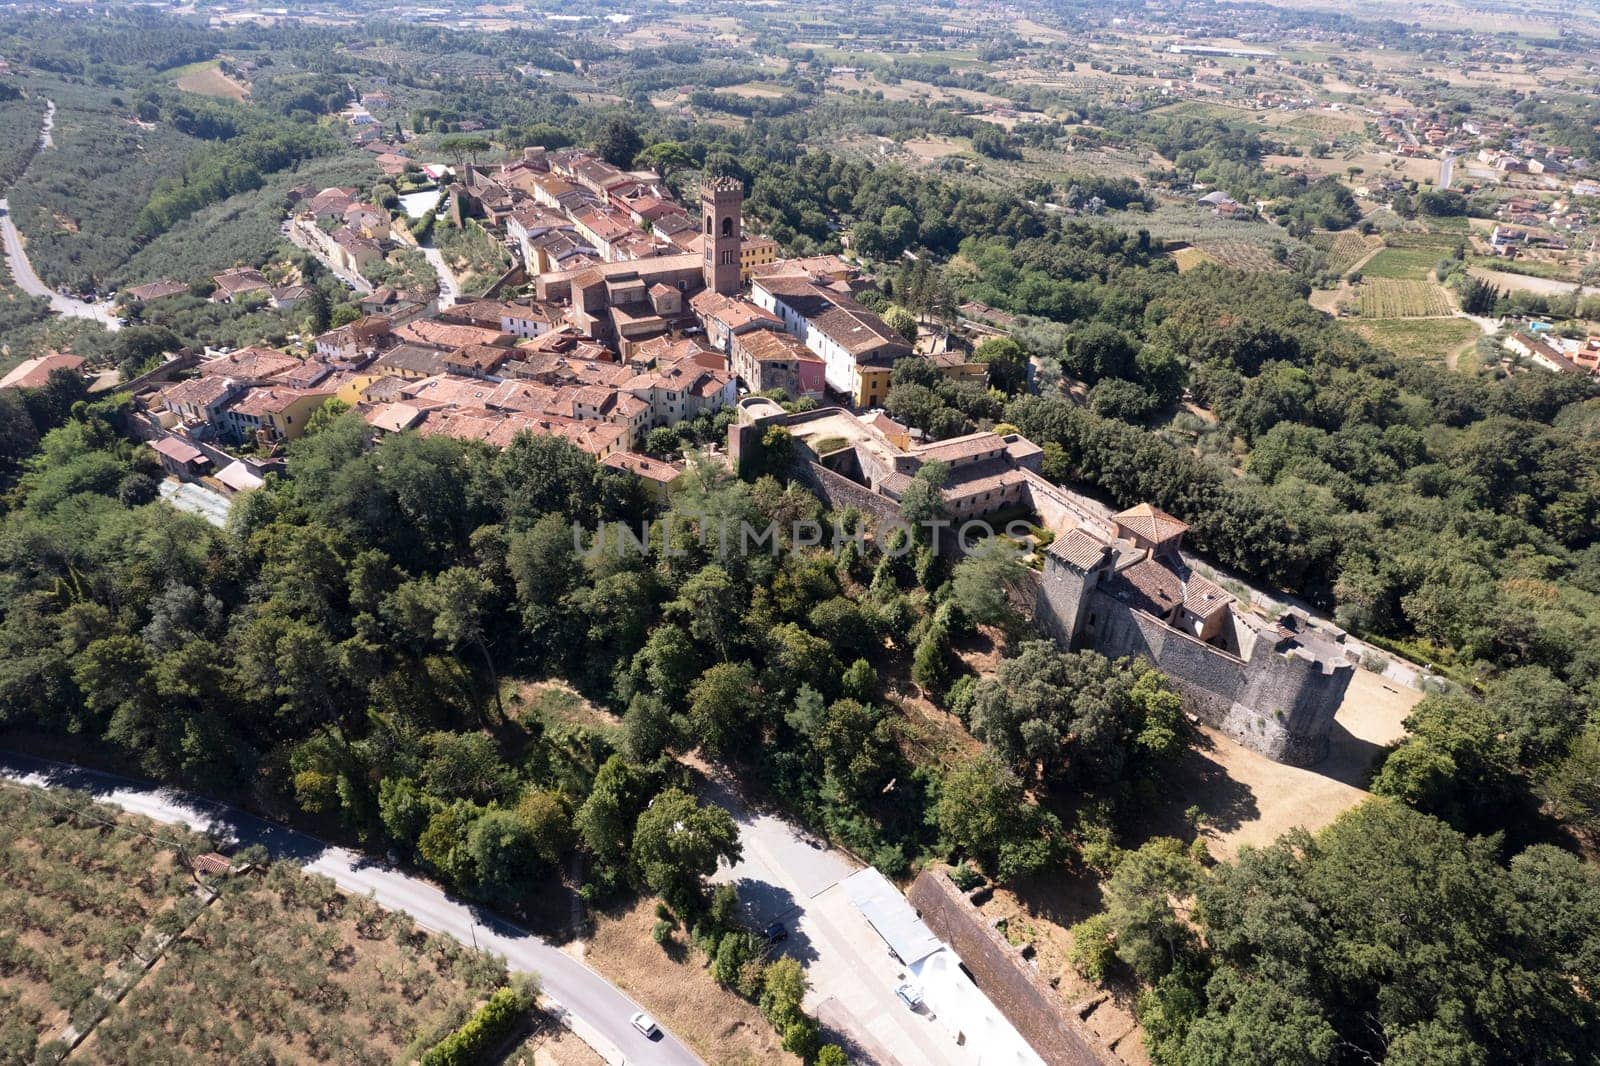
(674, 985)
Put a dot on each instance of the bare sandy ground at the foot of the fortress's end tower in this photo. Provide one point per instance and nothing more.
(1249, 799)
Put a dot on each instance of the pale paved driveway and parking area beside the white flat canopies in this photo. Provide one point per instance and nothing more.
(788, 876)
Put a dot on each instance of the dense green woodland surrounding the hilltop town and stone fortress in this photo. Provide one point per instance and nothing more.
(348, 652)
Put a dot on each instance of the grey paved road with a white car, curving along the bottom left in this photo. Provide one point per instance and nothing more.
(596, 1011)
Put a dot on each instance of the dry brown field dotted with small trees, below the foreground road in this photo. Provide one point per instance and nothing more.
(279, 969)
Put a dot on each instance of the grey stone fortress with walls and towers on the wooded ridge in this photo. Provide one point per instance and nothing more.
(1116, 583)
